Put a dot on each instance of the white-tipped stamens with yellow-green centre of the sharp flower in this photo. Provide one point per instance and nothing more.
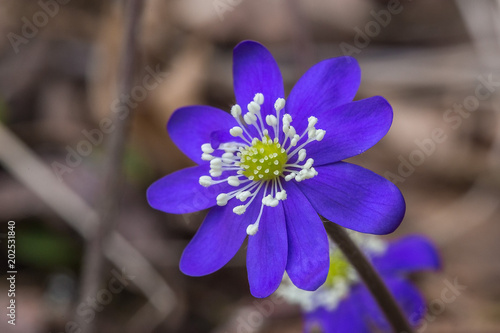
(263, 161)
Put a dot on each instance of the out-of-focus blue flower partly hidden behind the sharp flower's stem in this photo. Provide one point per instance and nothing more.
(344, 304)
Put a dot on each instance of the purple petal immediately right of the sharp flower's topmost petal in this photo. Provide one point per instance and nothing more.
(326, 85)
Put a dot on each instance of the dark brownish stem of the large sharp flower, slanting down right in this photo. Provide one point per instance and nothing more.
(371, 278)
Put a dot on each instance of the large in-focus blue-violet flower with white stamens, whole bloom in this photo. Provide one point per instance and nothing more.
(266, 178)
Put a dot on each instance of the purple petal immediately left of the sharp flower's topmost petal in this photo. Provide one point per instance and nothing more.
(191, 126)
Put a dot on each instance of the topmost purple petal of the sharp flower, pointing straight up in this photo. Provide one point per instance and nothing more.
(256, 71)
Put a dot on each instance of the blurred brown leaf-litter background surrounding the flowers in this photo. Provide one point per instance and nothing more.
(437, 62)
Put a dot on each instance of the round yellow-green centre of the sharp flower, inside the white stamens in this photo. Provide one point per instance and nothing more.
(264, 160)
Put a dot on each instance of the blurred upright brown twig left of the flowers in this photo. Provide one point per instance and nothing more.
(94, 261)
